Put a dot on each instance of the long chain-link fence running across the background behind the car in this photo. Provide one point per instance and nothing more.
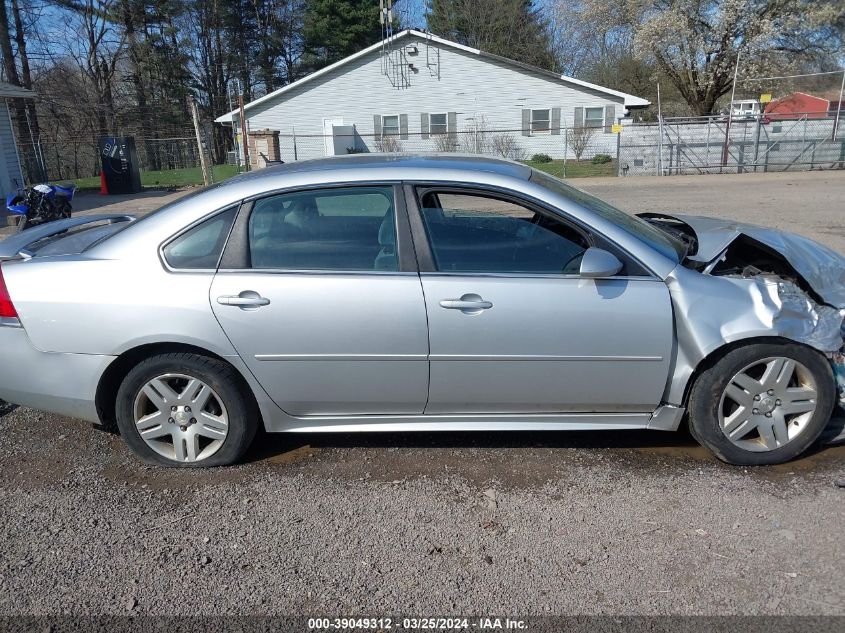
(672, 146)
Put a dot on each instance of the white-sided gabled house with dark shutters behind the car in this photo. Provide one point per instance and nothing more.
(419, 92)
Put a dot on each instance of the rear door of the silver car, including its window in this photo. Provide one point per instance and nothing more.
(318, 292)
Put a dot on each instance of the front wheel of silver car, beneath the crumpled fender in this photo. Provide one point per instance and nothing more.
(762, 403)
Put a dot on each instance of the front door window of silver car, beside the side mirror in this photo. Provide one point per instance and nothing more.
(479, 233)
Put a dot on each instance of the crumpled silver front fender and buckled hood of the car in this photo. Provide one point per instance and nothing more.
(795, 287)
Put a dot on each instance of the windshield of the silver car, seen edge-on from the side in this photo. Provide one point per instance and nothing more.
(662, 242)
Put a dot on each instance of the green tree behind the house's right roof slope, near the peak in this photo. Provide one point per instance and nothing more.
(511, 28)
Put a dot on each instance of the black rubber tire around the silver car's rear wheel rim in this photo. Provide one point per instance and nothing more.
(222, 378)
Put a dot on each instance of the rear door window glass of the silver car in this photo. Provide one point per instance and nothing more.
(351, 228)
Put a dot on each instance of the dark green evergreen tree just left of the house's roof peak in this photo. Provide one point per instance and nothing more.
(334, 29)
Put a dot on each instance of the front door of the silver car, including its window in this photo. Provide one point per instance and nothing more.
(512, 326)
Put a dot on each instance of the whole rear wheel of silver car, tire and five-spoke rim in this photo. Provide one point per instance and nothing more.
(186, 410)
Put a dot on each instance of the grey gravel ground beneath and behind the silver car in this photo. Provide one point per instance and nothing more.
(426, 524)
